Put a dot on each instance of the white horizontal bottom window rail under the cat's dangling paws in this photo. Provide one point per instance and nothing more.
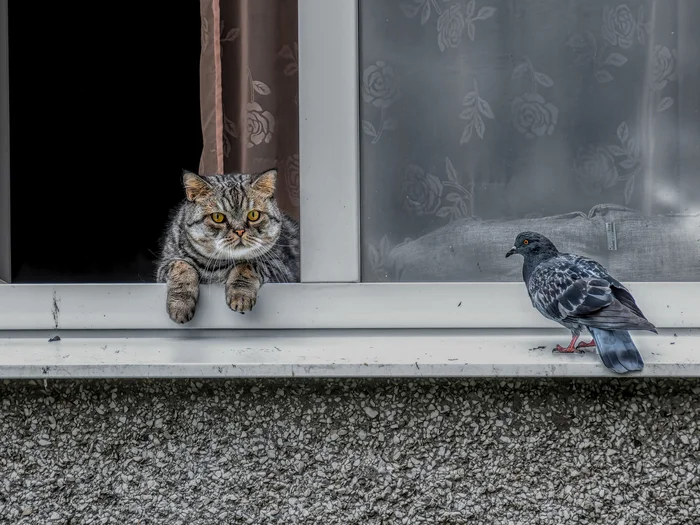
(316, 306)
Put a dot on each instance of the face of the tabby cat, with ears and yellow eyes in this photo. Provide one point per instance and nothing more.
(233, 216)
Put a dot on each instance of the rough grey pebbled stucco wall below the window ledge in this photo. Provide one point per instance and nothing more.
(609, 451)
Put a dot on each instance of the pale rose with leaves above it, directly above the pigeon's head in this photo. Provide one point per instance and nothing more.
(532, 115)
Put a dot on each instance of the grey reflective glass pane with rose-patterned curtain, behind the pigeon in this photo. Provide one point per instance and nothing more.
(484, 118)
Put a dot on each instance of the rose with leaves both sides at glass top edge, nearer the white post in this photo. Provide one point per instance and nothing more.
(452, 20)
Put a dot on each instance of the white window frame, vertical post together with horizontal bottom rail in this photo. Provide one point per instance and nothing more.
(331, 295)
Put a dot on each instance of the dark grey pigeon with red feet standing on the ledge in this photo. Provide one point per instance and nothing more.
(579, 294)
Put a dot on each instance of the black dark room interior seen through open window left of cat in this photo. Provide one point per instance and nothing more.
(104, 103)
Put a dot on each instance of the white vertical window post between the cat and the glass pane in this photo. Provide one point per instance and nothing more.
(329, 141)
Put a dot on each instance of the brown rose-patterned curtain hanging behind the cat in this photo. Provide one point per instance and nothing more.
(249, 91)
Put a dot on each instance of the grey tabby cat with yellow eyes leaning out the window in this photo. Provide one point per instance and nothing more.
(229, 230)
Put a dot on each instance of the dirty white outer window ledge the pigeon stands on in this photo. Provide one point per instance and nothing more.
(327, 353)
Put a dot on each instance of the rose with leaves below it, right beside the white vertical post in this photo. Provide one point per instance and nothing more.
(380, 89)
